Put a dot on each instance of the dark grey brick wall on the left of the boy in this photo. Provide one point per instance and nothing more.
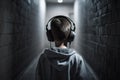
(19, 36)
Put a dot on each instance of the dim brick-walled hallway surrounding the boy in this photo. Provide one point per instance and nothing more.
(22, 35)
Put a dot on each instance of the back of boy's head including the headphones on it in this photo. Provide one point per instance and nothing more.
(62, 30)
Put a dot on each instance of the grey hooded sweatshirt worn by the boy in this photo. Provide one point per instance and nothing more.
(62, 64)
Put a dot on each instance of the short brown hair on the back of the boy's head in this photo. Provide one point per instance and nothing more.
(60, 28)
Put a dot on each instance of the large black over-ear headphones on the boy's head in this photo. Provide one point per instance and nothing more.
(72, 29)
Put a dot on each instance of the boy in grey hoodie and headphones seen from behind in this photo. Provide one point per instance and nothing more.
(61, 62)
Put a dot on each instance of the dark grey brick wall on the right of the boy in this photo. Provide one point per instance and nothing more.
(100, 36)
